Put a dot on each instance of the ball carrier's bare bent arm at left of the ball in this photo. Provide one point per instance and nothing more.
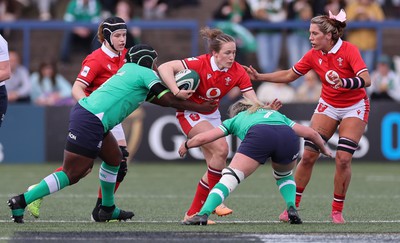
(167, 73)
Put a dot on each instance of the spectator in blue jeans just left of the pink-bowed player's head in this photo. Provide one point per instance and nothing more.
(297, 42)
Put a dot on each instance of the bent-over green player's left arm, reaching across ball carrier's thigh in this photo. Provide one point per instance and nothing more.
(201, 139)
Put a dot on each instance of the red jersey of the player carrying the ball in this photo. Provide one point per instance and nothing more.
(216, 83)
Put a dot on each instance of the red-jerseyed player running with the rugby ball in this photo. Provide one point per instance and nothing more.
(219, 73)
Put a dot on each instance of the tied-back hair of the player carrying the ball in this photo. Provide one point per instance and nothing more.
(215, 38)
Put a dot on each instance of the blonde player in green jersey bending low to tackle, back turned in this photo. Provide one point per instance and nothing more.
(265, 133)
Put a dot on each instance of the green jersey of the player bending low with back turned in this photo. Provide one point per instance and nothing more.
(242, 122)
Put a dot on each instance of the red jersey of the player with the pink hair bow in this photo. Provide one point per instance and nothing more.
(346, 61)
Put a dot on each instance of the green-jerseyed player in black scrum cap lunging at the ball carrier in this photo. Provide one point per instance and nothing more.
(89, 135)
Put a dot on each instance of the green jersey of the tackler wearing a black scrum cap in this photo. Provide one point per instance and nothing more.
(121, 94)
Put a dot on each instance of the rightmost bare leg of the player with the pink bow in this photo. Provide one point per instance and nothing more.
(350, 133)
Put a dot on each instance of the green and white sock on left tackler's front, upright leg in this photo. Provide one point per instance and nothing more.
(108, 177)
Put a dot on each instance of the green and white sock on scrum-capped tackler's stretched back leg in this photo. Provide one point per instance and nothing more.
(52, 183)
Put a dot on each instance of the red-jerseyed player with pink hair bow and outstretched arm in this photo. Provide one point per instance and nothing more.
(343, 102)
